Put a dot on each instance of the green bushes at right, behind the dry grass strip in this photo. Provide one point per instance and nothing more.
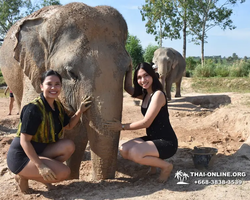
(238, 68)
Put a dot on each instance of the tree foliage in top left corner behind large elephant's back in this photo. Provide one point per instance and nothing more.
(13, 10)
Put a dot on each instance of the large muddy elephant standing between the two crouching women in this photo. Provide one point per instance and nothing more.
(86, 45)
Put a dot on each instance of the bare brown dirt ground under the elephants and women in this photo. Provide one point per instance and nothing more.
(203, 120)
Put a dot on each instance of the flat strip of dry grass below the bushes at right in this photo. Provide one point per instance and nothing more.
(221, 84)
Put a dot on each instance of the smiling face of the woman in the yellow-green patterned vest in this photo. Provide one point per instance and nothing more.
(51, 87)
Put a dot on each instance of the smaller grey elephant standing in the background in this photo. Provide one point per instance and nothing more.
(171, 67)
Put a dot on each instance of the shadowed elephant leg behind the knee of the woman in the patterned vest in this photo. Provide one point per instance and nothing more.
(79, 136)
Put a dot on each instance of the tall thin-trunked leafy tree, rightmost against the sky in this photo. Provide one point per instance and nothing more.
(207, 14)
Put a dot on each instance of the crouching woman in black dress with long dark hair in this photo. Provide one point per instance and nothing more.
(161, 142)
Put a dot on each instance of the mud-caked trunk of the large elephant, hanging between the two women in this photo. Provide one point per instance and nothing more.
(103, 142)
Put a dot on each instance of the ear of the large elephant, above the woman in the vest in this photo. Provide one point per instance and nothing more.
(30, 50)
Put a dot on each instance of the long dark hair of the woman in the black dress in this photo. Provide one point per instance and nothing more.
(156, 85)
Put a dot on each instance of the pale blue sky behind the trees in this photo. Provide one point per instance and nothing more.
(220, 42)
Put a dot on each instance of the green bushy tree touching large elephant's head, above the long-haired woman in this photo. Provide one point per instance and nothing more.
(135, 50)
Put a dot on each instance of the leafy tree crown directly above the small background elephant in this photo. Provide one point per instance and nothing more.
(162, 20)
